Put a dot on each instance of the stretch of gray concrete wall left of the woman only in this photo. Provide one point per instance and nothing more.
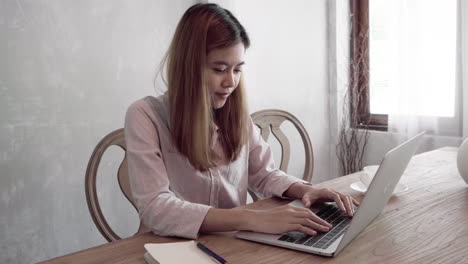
(68, 71)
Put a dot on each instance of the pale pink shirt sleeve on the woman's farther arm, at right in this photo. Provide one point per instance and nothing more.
(263, 177)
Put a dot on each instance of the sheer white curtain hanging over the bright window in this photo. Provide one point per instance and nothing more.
(417, 53)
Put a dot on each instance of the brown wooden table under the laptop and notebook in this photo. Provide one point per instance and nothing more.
(426, 224)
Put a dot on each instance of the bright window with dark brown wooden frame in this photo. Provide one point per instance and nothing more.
(403, 59)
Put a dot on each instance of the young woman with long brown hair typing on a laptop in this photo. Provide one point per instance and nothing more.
(194, 151)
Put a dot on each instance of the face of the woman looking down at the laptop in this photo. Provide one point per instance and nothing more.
(224, 69)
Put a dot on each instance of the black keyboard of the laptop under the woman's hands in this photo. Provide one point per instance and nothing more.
(330, 213)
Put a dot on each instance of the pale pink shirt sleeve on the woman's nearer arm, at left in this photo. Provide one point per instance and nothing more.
(158, 207)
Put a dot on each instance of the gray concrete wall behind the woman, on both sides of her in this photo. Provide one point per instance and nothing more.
(68, 71)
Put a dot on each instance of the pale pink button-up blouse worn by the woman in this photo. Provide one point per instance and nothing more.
(172, 197)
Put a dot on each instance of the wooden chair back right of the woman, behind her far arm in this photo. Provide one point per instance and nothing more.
(272, 119)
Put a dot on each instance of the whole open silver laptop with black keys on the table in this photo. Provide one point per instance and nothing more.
(345, 228)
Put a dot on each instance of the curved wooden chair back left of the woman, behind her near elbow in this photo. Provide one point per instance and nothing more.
(114, 138)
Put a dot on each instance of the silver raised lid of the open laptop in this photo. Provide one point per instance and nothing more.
(381, 188)
